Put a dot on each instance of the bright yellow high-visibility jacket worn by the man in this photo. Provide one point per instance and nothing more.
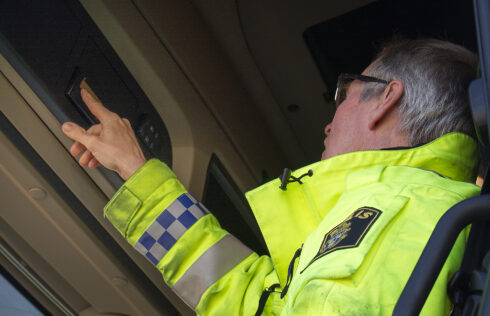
(362, 220)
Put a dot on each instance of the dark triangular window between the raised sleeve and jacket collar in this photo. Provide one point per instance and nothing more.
(228, 204)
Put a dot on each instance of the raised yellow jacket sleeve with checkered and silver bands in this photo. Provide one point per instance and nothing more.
(211, 270)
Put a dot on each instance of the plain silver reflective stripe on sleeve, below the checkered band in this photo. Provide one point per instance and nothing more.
(214, 263)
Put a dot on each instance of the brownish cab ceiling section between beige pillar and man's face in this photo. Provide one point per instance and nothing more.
(264, 42)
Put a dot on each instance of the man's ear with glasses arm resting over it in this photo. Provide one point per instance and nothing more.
(386, 102)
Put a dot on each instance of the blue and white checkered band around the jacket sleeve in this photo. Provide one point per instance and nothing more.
(169, 226)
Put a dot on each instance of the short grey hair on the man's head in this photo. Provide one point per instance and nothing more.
(436, 76)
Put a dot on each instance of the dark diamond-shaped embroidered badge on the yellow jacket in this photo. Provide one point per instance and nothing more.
(349, 233)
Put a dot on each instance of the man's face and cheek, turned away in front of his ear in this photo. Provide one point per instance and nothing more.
(345, 132)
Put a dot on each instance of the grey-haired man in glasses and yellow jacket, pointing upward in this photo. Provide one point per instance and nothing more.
(397, 155)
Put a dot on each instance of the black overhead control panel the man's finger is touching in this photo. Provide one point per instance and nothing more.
(57, 49)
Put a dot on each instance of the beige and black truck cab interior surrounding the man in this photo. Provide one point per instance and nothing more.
(226, 92)
